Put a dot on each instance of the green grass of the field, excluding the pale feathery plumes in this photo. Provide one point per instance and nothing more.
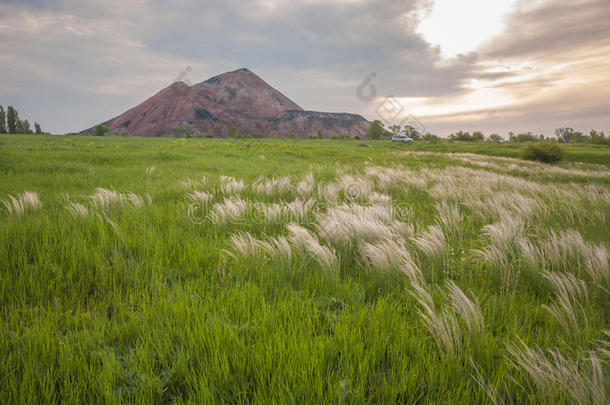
(141, 305)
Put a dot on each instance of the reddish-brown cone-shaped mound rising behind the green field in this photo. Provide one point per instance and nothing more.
(240, 98)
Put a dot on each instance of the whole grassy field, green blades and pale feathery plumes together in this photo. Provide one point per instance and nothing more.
(276, 271)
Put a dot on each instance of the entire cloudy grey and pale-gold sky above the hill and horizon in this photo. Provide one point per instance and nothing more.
(440, 65)
